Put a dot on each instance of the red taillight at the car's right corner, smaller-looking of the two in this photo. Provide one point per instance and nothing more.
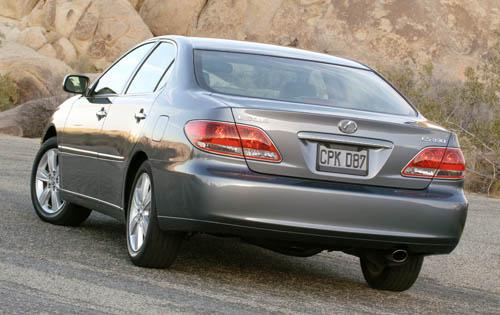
(437, 163)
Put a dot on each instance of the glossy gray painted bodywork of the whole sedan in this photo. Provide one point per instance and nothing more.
(291, 200)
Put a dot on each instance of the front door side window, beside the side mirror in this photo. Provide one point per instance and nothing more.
(114, 80)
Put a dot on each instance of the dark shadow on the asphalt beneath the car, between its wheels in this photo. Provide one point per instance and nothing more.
(228, 258)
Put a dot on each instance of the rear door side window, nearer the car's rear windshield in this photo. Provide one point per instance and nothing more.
(153, 69)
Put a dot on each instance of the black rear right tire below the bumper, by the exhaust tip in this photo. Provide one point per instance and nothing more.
(392, 277)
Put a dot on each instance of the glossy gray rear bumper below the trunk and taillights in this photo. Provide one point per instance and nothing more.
(214, 197)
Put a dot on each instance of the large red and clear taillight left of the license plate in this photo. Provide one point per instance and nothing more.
(232, 139)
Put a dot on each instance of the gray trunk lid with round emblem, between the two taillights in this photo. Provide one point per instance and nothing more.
(299, 131)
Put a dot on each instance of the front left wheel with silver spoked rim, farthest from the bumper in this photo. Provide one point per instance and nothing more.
(45, 194)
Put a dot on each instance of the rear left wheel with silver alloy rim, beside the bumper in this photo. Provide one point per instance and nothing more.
(148, 246)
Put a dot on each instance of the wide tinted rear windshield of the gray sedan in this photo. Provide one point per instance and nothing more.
(293, 80)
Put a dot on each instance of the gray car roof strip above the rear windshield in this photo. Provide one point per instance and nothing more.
(261, 49)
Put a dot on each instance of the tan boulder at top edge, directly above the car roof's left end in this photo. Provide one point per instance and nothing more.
(171, 16)
